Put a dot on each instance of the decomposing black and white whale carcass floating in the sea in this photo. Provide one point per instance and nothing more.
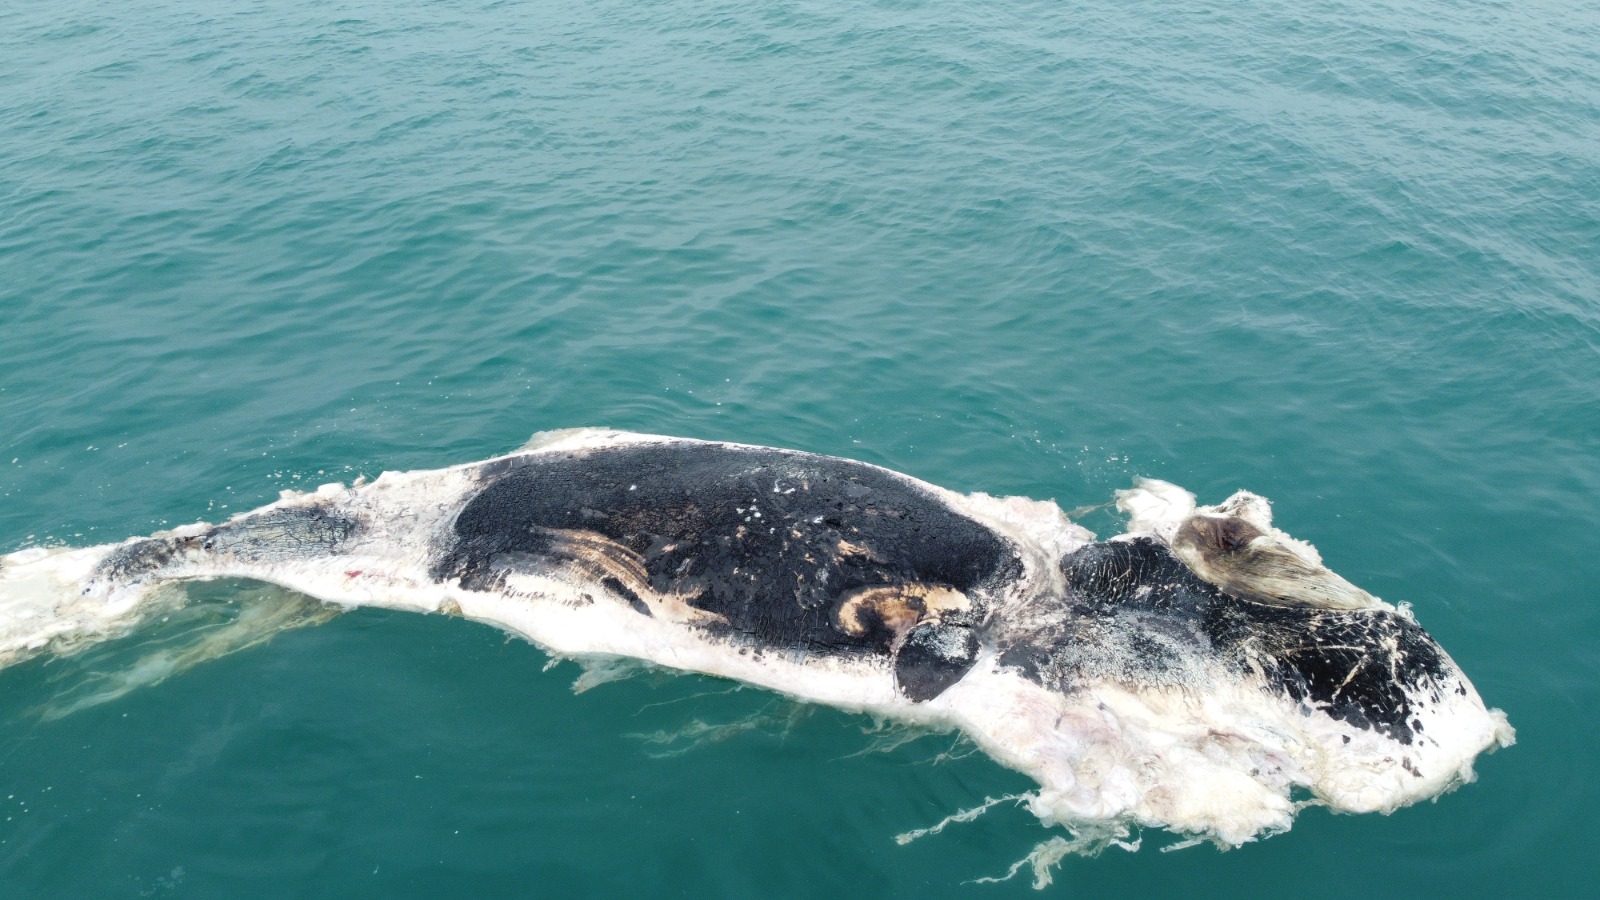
(1201, 673)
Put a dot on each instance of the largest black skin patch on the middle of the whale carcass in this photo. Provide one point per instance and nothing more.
(769, 542)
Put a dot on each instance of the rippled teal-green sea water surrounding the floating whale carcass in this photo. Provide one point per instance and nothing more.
(1346, 255)
